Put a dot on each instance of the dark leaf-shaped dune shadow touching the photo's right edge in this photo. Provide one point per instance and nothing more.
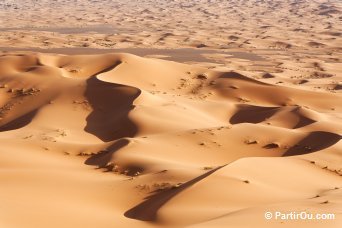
(315, 141)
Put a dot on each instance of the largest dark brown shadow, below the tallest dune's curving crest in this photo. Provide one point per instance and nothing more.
(111, 104)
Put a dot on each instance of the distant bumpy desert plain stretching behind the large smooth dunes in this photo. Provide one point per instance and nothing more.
(293, 39)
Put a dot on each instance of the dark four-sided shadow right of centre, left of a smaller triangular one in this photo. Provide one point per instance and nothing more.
(252, 114)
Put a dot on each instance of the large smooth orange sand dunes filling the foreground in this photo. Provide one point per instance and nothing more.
(117, 140)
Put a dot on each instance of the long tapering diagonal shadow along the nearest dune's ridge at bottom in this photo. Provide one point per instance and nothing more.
(147, 210)
